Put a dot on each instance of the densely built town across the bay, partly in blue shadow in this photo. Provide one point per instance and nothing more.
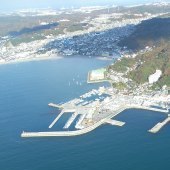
(97, 36)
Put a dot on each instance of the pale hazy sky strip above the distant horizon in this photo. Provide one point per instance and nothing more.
(11, 5)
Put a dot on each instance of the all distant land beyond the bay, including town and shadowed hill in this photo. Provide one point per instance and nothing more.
(85, 31)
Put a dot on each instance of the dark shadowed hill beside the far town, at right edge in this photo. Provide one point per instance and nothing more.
(148, 33)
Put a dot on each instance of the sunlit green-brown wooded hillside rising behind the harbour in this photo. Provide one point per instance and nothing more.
(146, 64)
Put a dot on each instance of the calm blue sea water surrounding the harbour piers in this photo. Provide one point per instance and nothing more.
(25, 91)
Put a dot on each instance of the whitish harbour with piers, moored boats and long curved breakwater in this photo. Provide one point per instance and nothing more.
(103, 110)
